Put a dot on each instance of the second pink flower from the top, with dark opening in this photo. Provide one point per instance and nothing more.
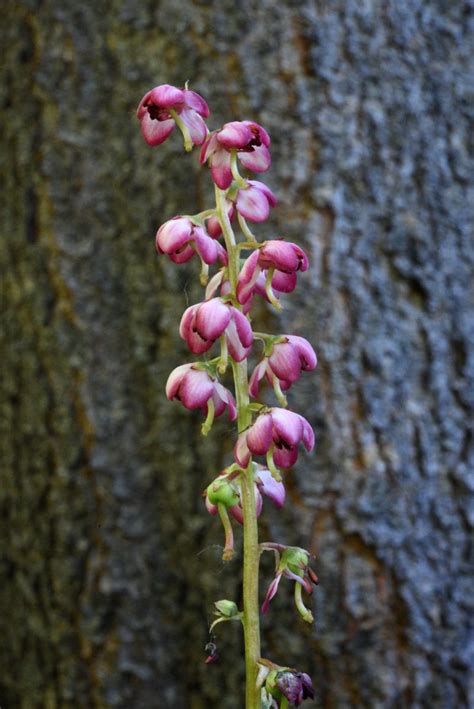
(251, 142)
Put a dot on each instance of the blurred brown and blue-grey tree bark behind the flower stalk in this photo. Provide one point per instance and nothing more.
(109, 565)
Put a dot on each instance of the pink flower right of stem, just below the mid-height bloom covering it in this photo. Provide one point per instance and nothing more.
(288, 358)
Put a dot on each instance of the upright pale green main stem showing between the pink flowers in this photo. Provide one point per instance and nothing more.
(251, 618)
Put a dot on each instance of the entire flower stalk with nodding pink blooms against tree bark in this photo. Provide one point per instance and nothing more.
(246, 270)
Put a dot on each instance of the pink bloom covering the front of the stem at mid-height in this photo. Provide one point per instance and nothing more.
(202, 324)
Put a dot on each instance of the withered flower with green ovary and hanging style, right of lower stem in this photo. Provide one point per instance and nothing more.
(291, 563)
